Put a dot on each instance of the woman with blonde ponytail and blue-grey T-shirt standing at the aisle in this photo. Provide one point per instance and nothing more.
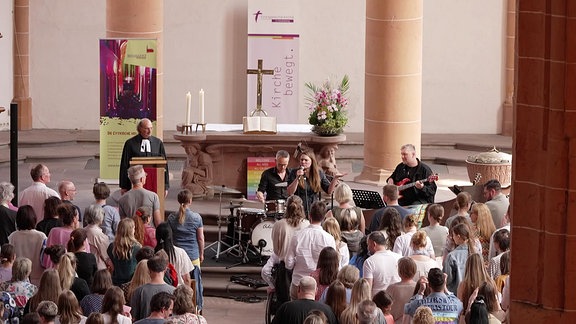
(188, 233)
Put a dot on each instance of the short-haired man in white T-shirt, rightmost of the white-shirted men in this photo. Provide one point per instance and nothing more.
(381, 268)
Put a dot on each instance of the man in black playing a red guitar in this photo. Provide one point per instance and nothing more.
(415, 172)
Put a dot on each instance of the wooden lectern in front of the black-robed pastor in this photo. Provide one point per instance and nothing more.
(155, 167)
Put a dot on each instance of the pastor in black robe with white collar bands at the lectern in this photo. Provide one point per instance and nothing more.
(141, 145)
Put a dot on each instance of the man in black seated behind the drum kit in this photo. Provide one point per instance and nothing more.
(273, 181)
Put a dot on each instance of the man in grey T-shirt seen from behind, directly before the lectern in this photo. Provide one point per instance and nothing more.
(138, 196)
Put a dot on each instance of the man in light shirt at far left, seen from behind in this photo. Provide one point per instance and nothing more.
(36, 194)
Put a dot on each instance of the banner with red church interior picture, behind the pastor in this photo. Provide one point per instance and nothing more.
(127, 94)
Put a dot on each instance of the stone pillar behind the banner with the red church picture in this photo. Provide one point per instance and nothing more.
(140, 19)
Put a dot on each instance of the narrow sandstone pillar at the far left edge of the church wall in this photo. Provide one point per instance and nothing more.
(21, 75)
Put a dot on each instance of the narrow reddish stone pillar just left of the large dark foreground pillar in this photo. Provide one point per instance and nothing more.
(507, 107)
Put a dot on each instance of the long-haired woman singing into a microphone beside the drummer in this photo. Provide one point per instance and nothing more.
(308, 181)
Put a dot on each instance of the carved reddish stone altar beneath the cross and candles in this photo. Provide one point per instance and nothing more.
(219, 157)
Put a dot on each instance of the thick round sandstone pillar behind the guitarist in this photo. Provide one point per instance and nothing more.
(393, 95)
